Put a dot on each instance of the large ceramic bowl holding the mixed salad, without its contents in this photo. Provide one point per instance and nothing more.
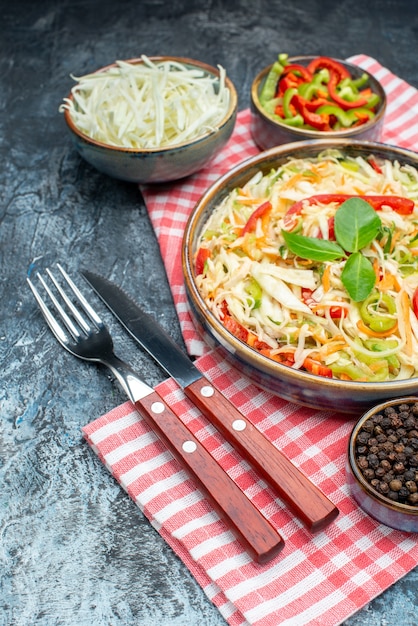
(294, 385)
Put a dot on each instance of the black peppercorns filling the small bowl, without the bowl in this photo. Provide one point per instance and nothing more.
(387, 452)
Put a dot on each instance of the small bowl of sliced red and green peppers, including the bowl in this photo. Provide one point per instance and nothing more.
(309, 97)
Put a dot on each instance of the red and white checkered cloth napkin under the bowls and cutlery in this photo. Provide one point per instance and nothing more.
(317, 579)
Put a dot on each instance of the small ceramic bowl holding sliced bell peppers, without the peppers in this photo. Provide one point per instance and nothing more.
(268, 132)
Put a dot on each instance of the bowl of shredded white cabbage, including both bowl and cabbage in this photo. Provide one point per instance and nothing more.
(151, 119)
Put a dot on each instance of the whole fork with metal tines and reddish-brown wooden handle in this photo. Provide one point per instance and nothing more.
(81, 331)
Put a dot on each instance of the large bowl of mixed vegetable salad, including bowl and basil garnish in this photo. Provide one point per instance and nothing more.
(301, 263)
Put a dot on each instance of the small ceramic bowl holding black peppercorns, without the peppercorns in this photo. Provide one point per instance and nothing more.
(382, 508)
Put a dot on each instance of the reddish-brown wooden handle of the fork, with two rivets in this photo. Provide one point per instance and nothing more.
(251, 528)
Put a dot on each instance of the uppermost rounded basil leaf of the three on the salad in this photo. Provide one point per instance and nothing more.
(356, 224)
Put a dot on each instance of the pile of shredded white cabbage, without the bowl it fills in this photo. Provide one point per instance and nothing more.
(148, 105)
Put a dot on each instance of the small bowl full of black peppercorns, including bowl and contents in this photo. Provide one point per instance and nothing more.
(382, 463)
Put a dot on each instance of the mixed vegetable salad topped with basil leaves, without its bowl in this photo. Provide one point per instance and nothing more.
(315, 265)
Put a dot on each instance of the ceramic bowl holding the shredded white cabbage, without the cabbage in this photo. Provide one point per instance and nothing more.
(159, 165)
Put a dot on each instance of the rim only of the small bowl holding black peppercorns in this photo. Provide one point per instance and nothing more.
(405, 509)
